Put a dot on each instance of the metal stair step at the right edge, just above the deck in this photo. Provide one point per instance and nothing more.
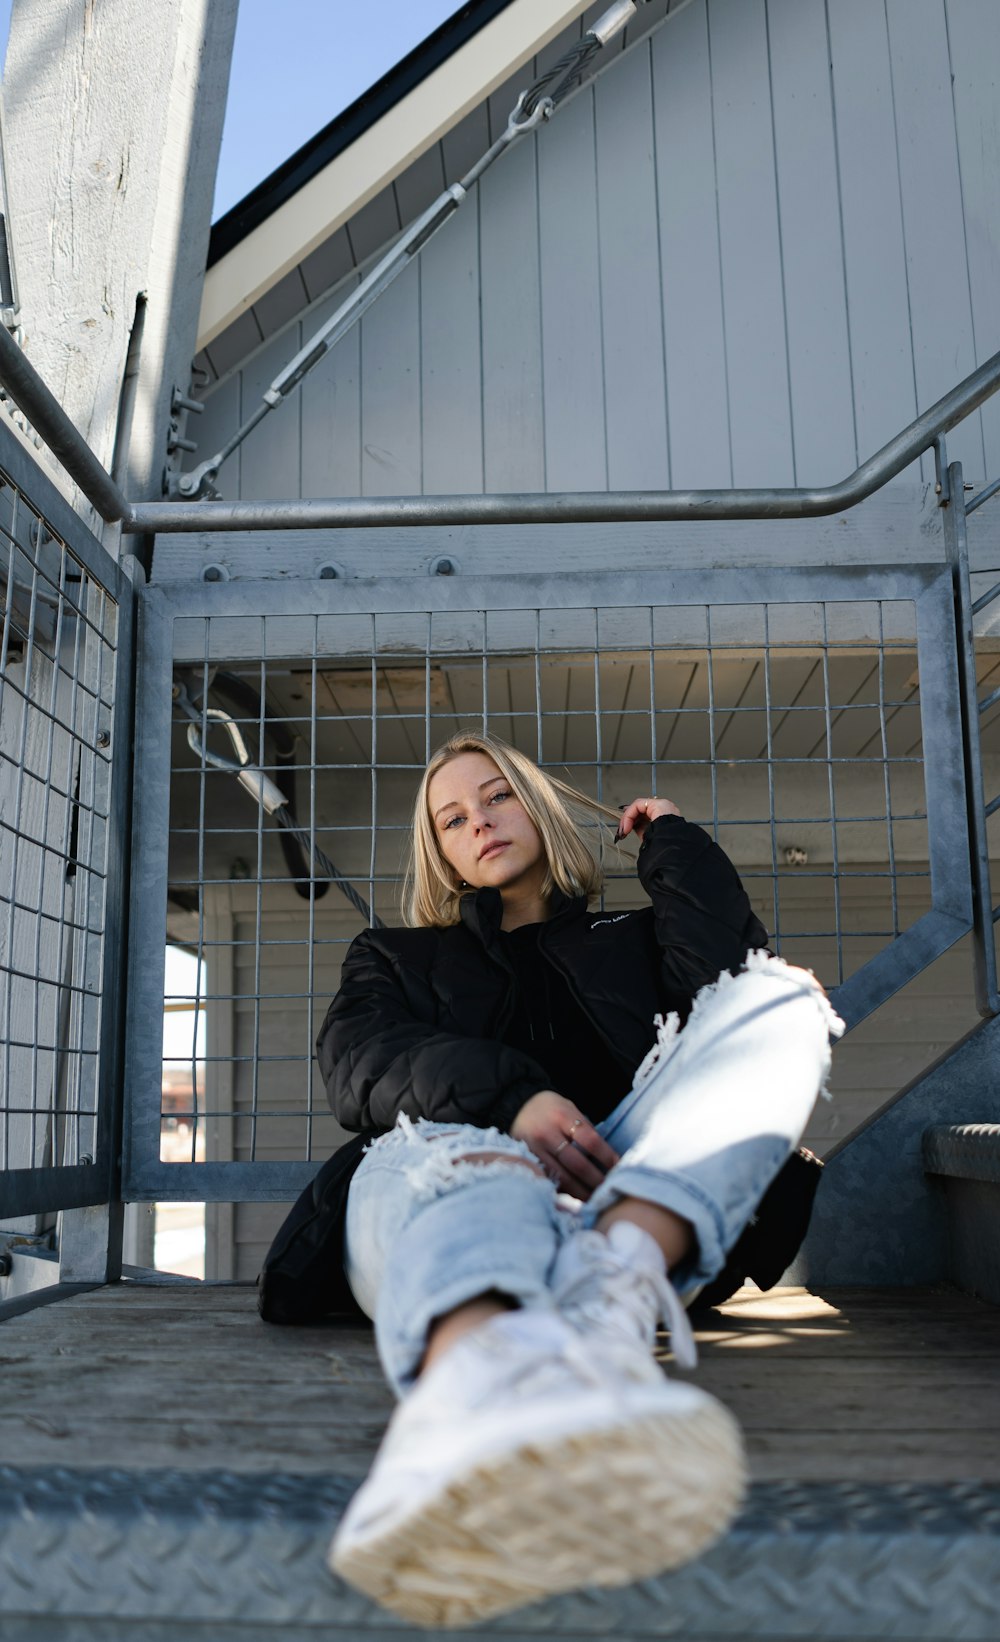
(966, 1158)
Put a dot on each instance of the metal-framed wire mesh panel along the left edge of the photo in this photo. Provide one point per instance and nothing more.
(65, 626)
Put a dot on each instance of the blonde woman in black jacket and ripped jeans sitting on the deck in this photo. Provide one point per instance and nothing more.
(546, 1158)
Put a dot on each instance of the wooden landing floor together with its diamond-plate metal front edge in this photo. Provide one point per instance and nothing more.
(172, 1470)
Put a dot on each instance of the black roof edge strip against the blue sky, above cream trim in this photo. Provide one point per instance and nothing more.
(310, 160)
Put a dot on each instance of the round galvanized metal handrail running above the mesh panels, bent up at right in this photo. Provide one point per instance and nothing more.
(25, 387)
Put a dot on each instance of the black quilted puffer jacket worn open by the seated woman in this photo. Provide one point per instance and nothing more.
(416, 1029)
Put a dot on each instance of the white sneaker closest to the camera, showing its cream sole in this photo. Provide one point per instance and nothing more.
(530, 1462)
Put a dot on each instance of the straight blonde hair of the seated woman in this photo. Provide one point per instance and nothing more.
(433, 891)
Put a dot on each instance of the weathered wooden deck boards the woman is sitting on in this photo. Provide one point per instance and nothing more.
(851, 1387)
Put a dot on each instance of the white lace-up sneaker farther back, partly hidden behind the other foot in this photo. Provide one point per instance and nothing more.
(617, 1285)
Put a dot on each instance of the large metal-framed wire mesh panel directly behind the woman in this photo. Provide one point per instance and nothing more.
(812, 730)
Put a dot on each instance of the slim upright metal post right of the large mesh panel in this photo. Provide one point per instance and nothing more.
(956, 543)
